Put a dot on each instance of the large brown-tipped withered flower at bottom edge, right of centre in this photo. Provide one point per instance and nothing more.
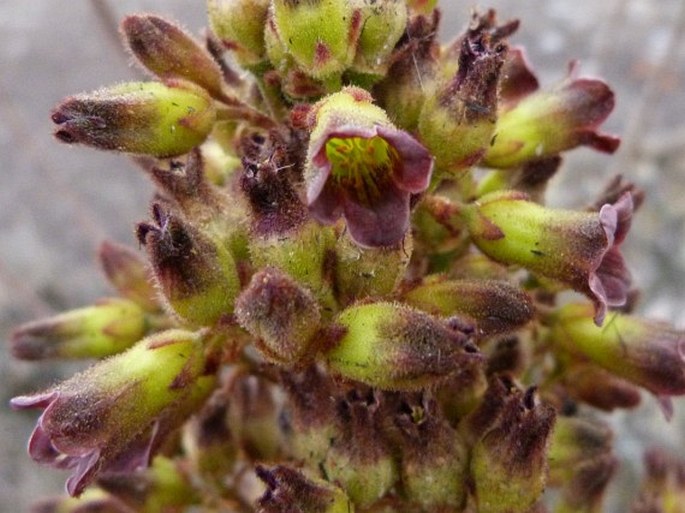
(509, 462)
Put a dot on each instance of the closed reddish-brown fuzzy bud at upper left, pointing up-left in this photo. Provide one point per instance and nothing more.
(170, 53)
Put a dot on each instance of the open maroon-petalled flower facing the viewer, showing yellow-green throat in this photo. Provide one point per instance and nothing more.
(361, 167)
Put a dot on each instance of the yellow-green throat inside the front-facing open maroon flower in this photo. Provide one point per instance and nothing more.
(361, 166)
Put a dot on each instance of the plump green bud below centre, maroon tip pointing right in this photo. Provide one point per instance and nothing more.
(395, 347)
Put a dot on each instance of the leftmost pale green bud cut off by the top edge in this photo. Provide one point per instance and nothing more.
(239, 25)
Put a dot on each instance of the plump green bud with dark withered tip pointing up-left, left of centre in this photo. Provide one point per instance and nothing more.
(196, 275)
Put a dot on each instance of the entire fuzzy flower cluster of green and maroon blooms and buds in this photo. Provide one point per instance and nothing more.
(348, 297)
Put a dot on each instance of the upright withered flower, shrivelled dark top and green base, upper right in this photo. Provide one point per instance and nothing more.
(457, 122)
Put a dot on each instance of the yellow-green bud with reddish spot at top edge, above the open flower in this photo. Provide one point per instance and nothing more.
(320, 35)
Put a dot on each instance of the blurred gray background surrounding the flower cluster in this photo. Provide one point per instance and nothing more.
(58, 203)
